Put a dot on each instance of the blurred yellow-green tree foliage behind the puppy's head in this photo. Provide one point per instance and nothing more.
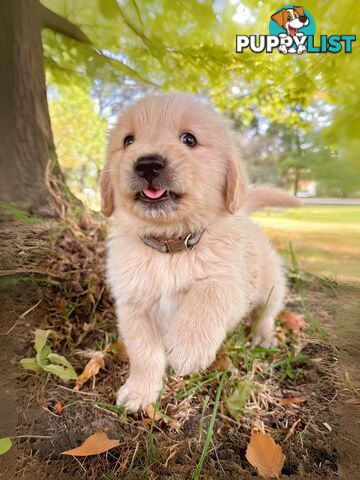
(298, 116)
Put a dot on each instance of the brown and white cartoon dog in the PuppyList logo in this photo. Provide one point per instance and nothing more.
(291, 20)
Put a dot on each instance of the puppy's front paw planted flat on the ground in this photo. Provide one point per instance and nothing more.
(137, 395)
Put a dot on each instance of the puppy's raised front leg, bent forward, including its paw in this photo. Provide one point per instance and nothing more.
(200, 325)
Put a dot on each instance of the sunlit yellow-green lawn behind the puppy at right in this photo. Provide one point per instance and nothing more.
(325, 238)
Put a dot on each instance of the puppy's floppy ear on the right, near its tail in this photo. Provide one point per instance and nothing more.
(235, 184)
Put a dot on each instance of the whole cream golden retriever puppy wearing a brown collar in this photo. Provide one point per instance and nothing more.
(185, 261)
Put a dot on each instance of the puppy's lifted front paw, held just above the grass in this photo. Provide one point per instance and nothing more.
(190, 355)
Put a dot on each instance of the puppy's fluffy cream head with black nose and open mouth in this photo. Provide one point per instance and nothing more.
(172, 161)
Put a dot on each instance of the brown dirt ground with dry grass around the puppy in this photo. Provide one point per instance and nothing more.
(44, 271)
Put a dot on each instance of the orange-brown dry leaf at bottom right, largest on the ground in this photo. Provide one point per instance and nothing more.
(265, 455)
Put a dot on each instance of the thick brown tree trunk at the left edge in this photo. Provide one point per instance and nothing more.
(27, 151)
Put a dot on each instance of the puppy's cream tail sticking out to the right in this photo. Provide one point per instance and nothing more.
(260, 197)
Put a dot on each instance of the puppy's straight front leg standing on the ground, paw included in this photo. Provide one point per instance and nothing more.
(147, 359)
